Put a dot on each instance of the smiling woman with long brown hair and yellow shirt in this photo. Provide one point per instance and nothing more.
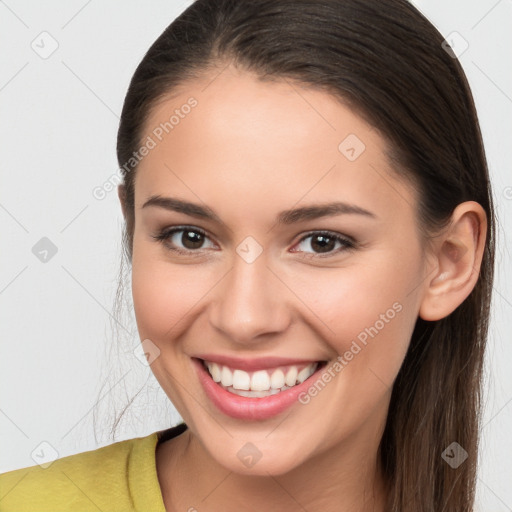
(310, 227)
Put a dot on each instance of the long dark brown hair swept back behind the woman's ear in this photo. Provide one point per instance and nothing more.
(386, 61)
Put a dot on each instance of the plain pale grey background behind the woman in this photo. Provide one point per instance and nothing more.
(58, 124)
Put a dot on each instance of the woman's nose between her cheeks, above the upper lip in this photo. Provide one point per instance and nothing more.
(251, 302)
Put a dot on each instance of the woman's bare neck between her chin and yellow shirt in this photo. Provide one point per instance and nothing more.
(347, 478)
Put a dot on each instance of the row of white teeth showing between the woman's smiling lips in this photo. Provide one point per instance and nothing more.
(260, 383)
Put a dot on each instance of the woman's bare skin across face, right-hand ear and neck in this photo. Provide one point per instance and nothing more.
(249, 150)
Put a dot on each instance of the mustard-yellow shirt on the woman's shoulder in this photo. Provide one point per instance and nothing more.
(120, 477)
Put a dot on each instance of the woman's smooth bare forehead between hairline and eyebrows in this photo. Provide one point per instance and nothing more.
(246, 142)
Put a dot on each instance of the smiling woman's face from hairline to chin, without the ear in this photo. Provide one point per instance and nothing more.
(256, 281)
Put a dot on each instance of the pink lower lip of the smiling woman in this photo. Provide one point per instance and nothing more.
(244, 408)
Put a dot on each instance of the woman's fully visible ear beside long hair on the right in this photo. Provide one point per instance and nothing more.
(456, 265)
